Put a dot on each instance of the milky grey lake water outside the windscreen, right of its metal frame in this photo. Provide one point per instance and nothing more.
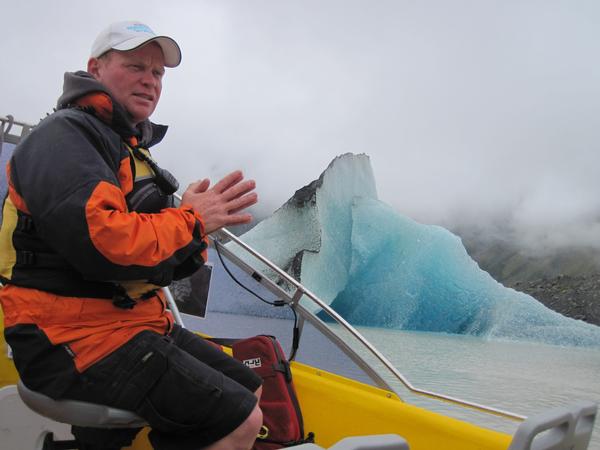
(519, 377)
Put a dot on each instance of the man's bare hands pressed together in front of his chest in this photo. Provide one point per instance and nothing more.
(220, 205)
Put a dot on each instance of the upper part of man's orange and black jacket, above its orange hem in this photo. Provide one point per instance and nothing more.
(79, 220)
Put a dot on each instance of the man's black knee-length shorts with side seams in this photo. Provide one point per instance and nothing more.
(190, 393)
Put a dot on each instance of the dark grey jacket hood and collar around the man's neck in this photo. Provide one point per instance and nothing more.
(79, 84)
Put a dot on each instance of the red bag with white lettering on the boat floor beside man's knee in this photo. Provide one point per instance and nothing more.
(282, 423)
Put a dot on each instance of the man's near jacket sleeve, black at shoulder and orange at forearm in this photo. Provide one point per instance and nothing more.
(73, 181)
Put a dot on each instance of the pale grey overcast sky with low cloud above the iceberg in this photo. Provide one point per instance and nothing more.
(468, 109)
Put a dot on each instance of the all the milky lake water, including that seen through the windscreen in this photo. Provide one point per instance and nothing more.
(521, 377)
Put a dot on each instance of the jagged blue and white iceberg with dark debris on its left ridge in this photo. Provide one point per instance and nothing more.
(379, 268)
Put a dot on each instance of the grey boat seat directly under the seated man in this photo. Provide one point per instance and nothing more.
(78, 413)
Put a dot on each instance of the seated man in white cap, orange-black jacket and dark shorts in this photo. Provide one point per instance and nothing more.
(89, 235)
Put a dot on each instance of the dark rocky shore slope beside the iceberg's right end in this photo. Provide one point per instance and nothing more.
(577, 297)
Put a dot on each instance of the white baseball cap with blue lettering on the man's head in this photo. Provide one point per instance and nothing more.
(130, 35)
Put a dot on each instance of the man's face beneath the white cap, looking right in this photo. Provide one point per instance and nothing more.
(134, 78)
